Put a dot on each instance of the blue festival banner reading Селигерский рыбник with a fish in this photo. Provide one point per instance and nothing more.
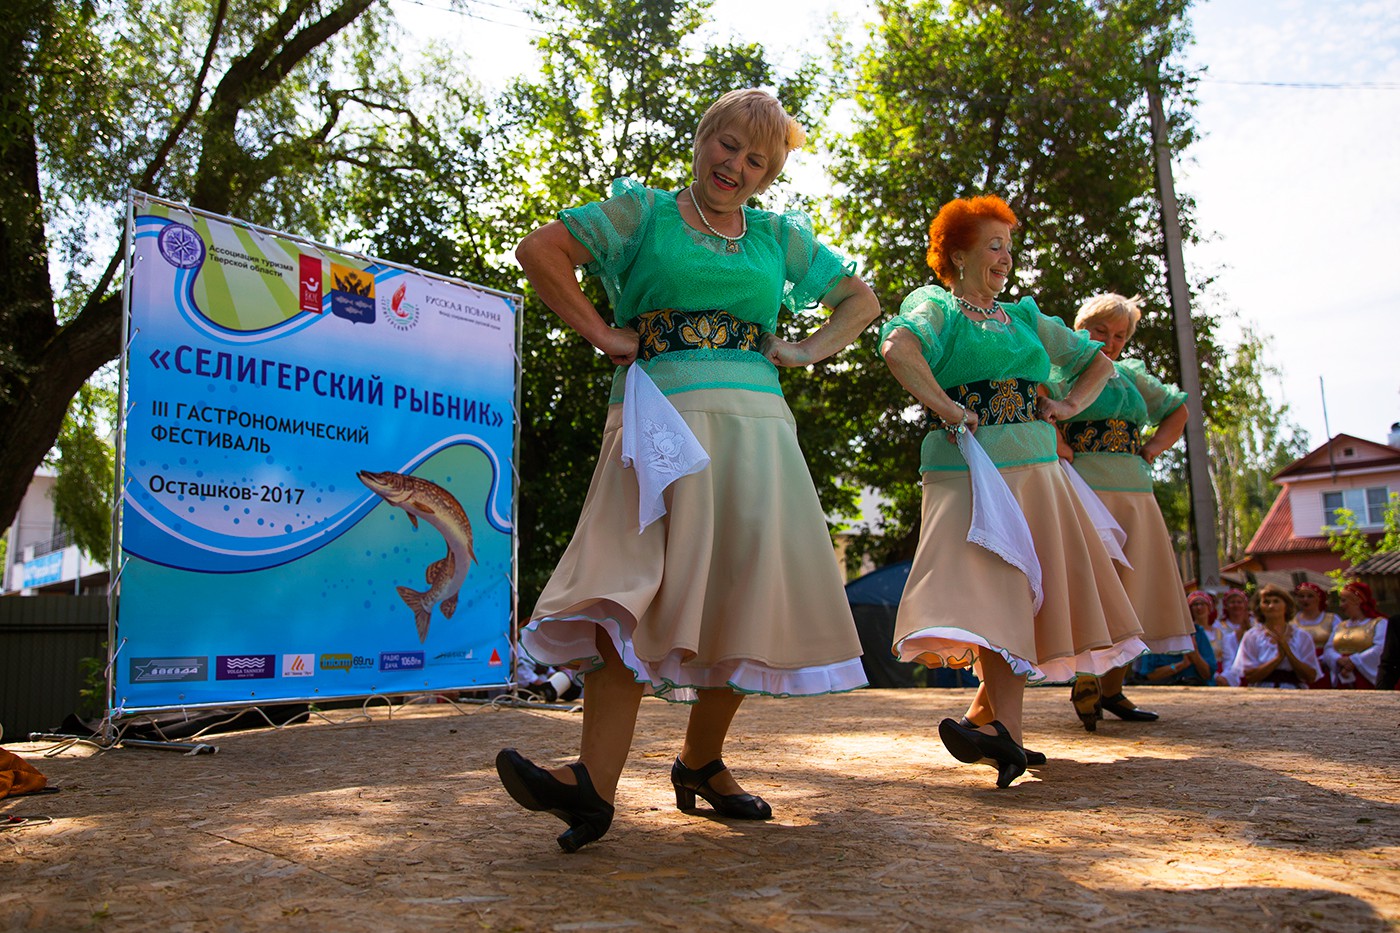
(317, 471)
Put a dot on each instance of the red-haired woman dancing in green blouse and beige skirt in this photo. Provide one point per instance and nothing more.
(965, 606)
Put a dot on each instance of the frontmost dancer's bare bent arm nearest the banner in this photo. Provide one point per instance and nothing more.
(549, 256)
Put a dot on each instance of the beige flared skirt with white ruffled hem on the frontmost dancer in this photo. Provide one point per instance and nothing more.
(736, 586)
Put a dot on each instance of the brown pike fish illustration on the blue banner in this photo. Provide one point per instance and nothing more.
(439, 508)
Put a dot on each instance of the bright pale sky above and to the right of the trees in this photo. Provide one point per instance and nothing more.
(1296, 177)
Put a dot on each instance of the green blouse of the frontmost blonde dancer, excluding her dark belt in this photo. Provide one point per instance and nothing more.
(649, 258)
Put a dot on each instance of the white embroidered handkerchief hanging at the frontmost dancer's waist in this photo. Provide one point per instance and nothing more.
(657, 443)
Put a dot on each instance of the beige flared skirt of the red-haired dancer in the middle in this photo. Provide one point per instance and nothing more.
(961, 597)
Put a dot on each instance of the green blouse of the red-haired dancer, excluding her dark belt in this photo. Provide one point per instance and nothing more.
(1034, 347)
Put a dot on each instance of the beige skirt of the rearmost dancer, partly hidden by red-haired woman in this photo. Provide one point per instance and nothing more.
(1153, 583)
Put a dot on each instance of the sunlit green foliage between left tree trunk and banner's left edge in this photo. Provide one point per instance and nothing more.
(86, 471)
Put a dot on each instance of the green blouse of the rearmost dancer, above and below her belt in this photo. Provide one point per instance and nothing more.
(1139, 399)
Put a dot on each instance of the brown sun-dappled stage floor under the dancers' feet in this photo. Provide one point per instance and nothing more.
(1241, 810)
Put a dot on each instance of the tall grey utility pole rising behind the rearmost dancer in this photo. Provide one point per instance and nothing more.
(1203, 504)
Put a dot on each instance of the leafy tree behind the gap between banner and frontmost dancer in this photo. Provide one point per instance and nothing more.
(619, 92)
